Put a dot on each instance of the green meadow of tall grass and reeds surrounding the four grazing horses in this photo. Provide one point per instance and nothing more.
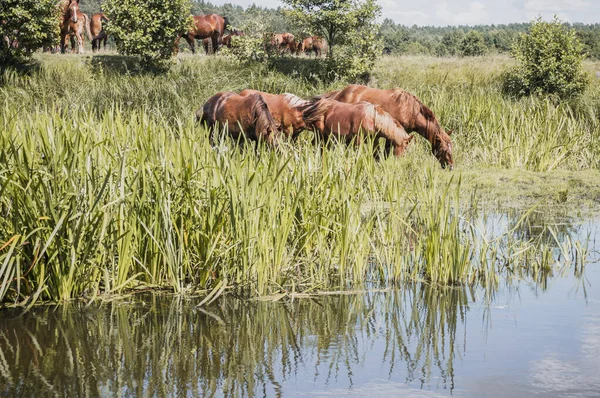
(107, 184)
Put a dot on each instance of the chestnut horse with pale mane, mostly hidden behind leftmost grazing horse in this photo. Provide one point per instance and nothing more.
(286, 110)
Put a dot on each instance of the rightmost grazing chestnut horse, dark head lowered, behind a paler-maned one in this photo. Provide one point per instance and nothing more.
(407, 109)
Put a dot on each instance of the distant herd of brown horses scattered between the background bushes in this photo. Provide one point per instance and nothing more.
(210, 28)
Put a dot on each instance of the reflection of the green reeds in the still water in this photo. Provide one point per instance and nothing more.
(238, 348)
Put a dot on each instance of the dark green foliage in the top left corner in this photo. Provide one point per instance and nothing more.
(26, 25)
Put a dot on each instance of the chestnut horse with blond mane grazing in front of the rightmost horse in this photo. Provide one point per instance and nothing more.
(355, 121)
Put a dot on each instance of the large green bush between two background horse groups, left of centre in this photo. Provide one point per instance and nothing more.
(147, 29)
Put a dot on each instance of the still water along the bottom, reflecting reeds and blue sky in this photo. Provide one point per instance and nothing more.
(532, 338)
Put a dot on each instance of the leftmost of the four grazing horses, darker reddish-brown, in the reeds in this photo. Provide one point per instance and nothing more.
(242, 115)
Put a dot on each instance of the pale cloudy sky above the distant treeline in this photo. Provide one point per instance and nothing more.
(470, 12)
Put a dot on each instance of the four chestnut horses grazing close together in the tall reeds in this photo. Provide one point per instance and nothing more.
(355, 114)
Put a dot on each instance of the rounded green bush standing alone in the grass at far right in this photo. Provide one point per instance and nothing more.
(549, 62)
